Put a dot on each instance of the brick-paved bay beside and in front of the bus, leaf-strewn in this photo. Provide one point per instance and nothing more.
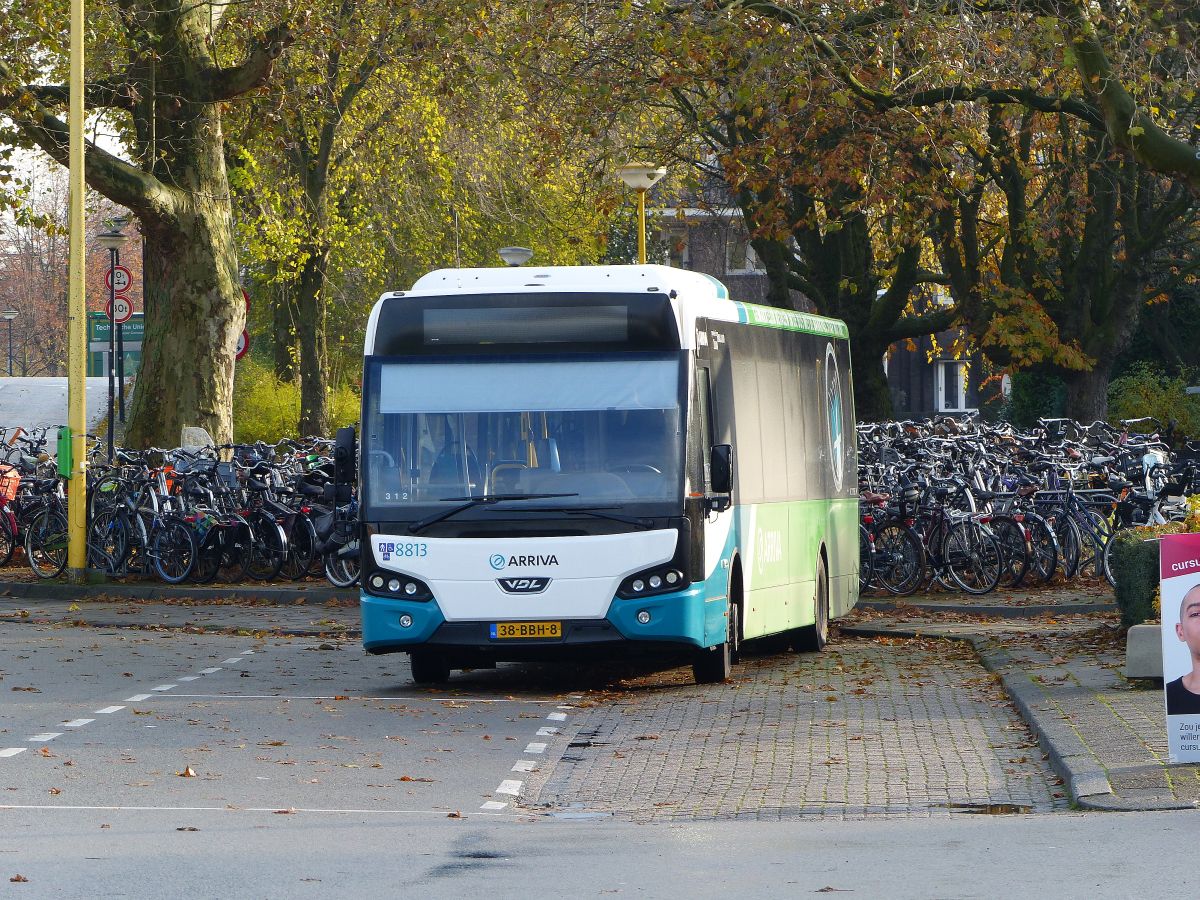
(871, 728)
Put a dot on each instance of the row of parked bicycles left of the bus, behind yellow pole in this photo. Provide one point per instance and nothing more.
(230, 513)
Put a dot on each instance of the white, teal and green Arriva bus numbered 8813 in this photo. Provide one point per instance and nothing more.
(602, 459)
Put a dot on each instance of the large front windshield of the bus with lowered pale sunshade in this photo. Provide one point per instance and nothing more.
(602, 431)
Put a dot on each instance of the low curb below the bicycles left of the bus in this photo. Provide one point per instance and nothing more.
(154, 591)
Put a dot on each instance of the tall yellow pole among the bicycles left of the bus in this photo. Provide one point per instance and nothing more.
(77, 315)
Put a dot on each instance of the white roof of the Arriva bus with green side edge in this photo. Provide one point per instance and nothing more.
(694, 295)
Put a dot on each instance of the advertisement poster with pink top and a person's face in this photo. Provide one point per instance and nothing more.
(1179, 557)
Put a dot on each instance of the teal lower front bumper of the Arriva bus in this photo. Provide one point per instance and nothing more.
(685, 619)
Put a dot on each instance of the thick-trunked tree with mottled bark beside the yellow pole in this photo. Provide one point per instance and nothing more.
(164, 83)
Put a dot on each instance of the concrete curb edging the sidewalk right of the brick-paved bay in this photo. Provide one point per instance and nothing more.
(1085, 778)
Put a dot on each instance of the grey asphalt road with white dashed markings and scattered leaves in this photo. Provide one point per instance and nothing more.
(149, 765)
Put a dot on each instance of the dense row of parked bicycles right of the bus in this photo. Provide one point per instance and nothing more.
(970, 506)
